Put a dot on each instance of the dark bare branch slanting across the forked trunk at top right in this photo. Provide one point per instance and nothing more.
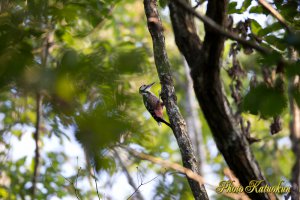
(212, 24)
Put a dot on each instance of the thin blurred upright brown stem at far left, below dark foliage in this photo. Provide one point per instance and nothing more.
(36, 140)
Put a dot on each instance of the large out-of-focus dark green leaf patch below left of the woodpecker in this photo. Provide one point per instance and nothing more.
(100, 128)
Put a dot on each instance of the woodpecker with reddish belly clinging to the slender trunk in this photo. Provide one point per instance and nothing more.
(153, 104)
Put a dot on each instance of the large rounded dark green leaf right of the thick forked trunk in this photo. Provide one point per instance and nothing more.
(265, 101)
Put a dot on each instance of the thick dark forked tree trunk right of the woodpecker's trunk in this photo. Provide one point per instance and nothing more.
(204, 61)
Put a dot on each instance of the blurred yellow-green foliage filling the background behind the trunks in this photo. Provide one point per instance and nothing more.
(88, 58)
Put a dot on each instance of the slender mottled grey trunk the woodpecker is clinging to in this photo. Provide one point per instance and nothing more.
(169, 97)
